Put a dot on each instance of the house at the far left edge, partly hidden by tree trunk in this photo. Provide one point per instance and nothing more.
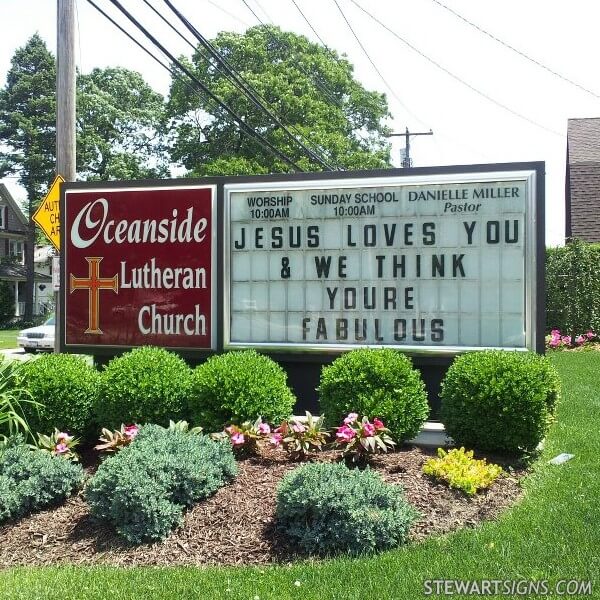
(13, 240)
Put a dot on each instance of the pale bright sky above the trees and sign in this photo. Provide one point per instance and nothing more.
(486, 104)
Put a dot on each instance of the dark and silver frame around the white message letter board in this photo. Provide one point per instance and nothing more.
(532, 173)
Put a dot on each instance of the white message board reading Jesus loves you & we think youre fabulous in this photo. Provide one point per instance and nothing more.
(429, 264)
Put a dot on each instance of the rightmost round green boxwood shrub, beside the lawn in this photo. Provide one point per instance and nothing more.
(498, 400)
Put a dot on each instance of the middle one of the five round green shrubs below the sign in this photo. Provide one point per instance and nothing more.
(237, 387)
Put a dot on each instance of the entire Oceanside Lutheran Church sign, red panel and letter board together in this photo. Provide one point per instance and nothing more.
(431, 261)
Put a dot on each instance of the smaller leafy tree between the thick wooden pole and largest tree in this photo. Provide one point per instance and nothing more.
(118, 120)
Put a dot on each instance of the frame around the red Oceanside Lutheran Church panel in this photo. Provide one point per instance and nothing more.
(141, 185)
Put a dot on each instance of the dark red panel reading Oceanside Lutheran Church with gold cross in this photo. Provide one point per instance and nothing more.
(139, 267)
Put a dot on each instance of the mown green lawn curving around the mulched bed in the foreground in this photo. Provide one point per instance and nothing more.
(553, 534)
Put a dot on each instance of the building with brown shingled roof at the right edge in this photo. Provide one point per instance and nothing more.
(582, 183)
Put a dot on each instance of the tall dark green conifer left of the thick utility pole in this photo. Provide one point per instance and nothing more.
(28, 133)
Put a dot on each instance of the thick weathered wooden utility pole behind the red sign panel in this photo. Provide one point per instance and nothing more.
(65, 110)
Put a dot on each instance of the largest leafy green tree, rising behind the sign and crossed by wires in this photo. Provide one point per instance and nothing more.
(310, 89)
